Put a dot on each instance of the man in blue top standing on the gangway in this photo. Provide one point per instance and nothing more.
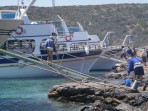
(50, 46)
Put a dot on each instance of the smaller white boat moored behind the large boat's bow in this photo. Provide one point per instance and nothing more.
(111, 54)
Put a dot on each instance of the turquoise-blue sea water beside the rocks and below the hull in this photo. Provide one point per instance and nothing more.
(32, 95)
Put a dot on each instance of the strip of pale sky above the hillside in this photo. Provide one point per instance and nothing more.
(48, 3)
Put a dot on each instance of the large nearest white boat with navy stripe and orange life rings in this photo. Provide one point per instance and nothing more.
(27, 41)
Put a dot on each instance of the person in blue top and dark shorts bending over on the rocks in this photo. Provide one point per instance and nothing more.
(135, 65)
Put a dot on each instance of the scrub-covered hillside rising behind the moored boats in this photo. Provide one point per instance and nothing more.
(99, 19)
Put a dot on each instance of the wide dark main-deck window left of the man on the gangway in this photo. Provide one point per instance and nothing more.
(25, 46)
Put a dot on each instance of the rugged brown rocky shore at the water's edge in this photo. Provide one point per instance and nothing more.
(103, 96)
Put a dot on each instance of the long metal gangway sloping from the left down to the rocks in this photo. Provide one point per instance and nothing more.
(63, 71)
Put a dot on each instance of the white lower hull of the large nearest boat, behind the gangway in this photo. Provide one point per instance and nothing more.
(17, 70)
